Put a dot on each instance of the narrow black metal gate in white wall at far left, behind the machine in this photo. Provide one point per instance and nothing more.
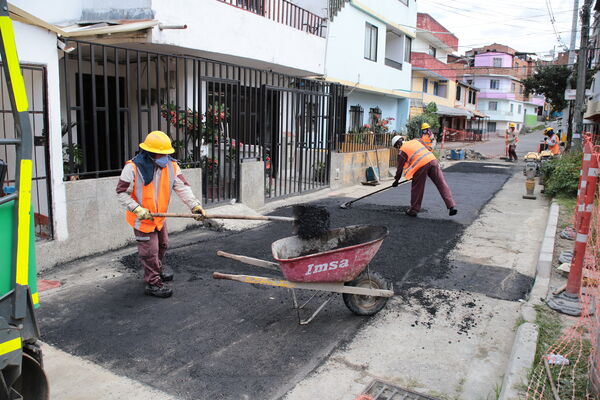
(35, 77)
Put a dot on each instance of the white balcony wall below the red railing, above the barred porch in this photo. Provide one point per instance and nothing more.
(221, 28)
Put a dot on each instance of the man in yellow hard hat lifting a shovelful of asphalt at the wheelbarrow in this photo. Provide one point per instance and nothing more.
(144, 188)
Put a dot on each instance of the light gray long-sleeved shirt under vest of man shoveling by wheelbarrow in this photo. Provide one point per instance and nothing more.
(180, 186)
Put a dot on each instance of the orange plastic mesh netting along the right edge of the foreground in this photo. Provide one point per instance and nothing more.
(573, 360)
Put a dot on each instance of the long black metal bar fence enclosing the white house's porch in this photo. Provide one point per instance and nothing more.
(216, 114)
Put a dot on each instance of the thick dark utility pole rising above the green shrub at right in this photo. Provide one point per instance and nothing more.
(581, 74)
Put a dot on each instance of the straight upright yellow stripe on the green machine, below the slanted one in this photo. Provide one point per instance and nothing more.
(24, 223)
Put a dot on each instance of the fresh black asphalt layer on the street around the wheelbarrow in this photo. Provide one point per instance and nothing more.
(227, 340)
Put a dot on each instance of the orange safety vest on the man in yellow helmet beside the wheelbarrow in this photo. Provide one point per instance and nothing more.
(155, 197)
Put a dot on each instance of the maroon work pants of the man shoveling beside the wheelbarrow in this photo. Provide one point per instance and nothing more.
(151, 250)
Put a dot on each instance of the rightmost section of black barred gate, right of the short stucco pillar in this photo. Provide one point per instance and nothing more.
(300, 128)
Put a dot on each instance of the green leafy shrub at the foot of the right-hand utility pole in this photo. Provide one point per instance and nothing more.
(561, 175)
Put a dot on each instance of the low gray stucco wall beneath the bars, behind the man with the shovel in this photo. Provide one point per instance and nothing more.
(96, 220)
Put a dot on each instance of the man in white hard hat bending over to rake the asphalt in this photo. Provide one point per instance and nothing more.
(418, 162)
